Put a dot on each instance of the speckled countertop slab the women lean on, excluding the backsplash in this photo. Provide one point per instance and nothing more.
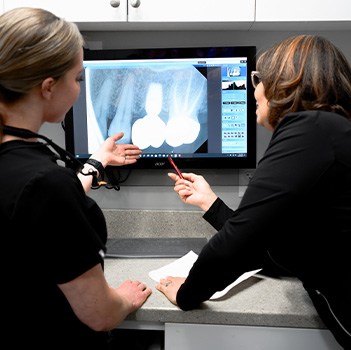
(254, 302)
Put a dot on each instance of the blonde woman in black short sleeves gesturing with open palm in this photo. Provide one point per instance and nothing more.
(54, 235)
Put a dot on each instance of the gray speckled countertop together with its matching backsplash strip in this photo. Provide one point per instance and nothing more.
(254, 302)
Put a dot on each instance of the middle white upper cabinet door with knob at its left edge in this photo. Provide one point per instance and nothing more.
(191, 10)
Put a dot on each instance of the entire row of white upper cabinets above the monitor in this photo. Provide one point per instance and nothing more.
(198, 14)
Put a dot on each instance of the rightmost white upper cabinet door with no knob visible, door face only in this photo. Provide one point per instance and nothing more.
(302, 10)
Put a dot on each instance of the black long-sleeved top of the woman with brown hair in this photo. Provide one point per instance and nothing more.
(295, 217)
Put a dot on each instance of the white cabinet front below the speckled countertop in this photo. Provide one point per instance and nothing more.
(226, 337)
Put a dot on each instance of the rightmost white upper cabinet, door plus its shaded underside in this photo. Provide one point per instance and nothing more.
(303, 15)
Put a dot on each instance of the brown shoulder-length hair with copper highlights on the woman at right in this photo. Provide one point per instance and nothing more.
(305, 72)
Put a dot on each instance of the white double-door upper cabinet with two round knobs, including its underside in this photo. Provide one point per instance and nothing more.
(148, 14)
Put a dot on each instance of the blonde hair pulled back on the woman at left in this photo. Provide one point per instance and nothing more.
(34, 44)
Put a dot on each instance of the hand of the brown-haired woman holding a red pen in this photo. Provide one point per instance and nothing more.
(194, 189)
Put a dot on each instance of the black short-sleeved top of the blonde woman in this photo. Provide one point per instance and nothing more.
(51, 233)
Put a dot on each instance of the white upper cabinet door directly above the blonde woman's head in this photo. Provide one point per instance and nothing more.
(78, 10)
